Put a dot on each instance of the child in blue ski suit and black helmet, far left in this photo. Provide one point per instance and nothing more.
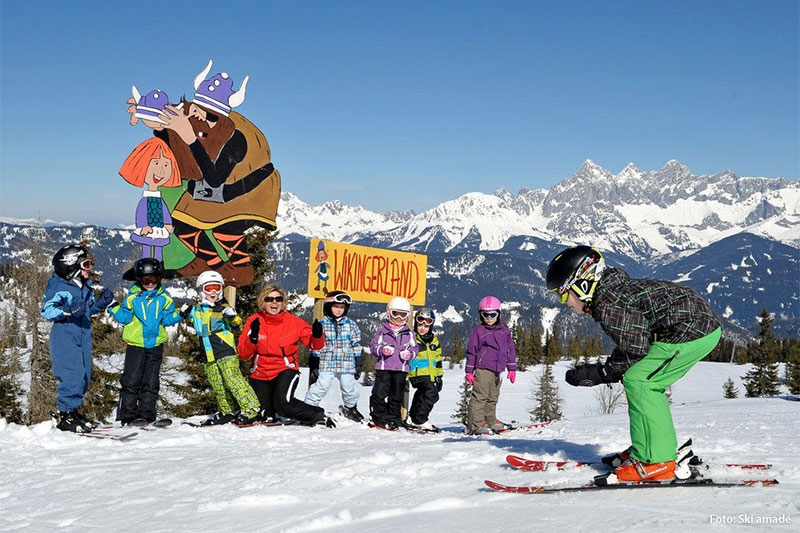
(69, 303)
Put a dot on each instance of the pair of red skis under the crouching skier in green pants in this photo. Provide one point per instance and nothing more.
(694, 463)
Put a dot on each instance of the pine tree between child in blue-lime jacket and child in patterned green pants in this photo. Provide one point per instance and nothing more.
(188, 379)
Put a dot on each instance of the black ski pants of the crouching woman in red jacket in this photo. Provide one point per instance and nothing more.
(277, 396)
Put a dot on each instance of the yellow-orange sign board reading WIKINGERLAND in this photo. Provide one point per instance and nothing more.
(366, 274)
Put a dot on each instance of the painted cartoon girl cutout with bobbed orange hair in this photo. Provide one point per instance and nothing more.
(152, 165)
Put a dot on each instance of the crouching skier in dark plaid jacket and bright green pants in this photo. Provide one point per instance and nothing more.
(661, 330)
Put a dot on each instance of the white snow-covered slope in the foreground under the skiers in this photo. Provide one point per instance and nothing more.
(358, 479)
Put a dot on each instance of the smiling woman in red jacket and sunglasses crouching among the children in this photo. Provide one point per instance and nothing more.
(271, 335)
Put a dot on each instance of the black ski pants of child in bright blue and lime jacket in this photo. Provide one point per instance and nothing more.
(140, 383)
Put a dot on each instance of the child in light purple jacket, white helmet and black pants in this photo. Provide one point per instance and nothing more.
(394, 345)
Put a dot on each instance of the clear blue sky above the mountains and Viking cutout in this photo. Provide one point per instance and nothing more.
(401, 105)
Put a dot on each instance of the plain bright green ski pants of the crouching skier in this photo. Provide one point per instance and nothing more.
(652, 431)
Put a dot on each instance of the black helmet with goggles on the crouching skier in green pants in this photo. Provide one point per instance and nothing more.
(578, 268)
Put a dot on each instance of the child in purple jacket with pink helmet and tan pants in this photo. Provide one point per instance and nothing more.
(490, 351)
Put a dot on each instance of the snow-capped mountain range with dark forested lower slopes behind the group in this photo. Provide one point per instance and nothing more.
(733, 239)
